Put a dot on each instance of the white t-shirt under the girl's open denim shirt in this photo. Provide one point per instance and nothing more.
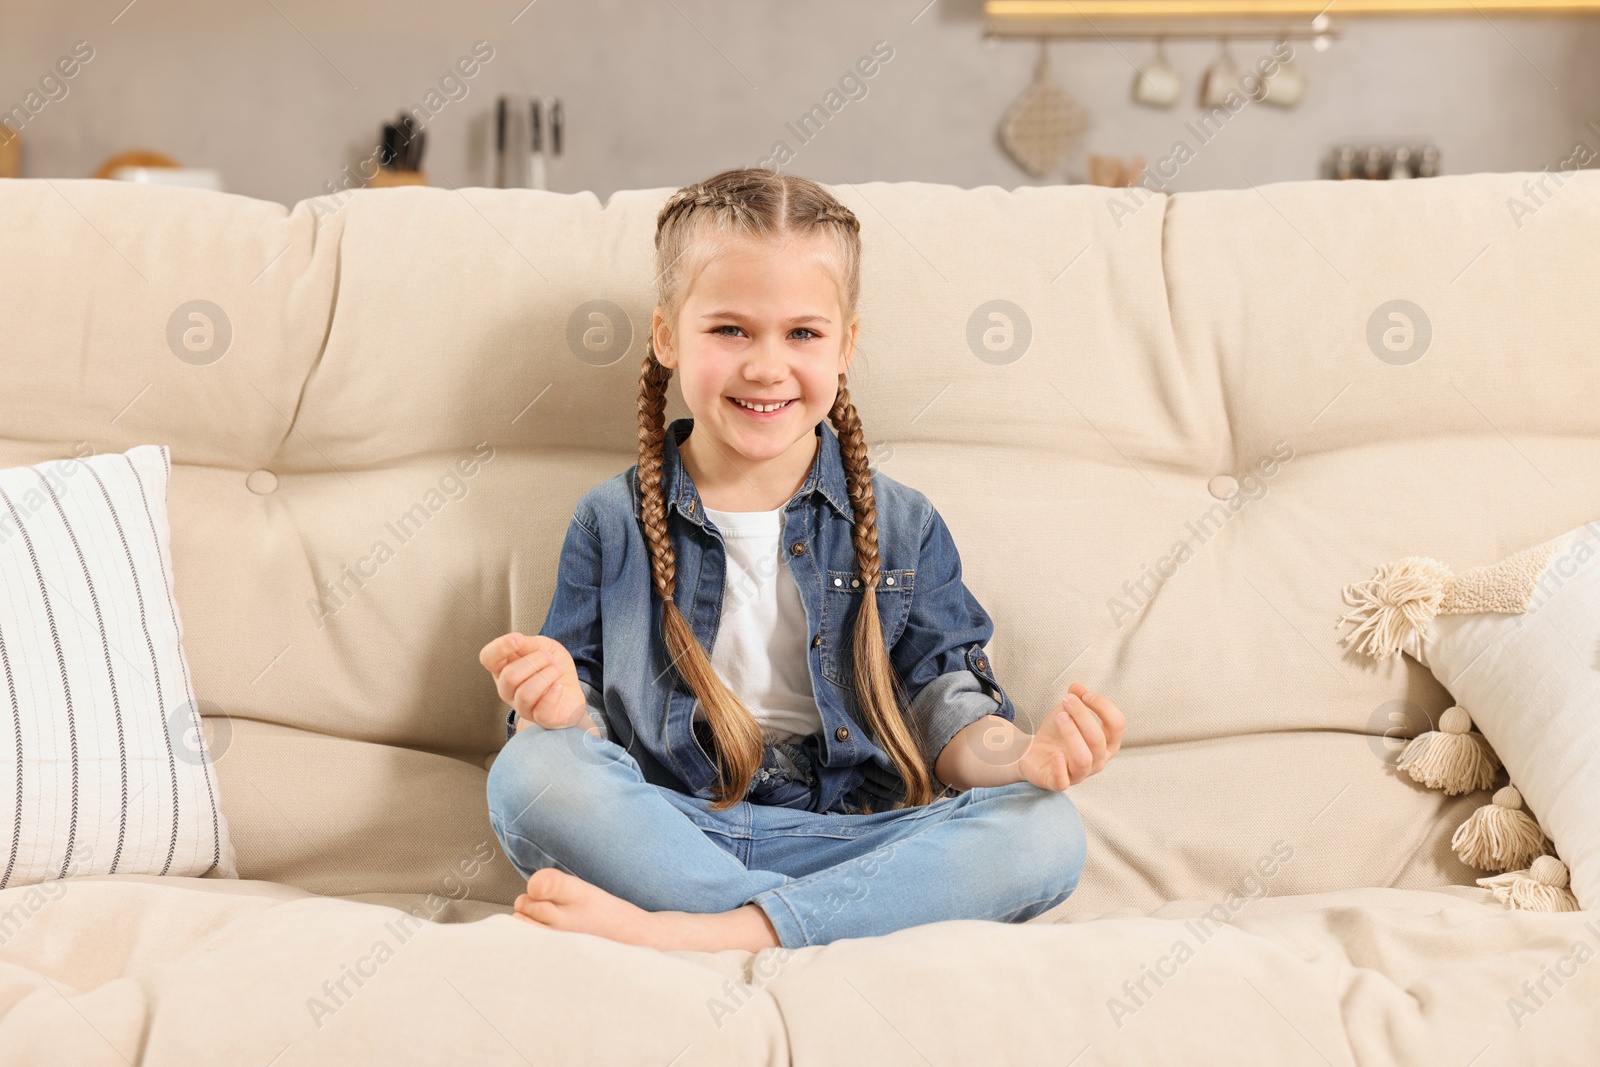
(762, 650)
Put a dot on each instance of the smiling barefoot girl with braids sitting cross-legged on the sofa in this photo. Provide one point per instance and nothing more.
(802, 740)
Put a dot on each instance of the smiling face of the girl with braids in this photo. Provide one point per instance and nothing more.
(761, 324)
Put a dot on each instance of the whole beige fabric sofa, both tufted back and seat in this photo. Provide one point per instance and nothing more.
(1263, 887)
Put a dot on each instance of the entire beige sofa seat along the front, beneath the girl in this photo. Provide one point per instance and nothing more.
(241, 972)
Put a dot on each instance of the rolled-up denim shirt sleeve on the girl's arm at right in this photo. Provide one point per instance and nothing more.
(940, 655)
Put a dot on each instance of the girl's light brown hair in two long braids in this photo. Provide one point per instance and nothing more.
(690, 230)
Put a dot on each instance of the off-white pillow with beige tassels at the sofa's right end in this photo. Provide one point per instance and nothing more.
(1518, 645)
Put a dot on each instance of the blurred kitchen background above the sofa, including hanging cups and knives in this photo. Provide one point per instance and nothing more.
(287, 100)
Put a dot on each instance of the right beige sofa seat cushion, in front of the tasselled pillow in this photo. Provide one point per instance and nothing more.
(1356, 977)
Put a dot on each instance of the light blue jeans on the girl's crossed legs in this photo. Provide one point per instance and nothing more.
(567, 799)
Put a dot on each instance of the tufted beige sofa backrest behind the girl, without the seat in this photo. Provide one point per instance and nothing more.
(1166, 433)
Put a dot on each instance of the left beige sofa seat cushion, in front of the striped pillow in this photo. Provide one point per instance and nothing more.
(164, 970)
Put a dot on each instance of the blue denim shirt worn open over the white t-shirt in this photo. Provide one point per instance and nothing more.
(607, 613)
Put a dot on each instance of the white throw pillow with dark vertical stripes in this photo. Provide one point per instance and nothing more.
(103, 765)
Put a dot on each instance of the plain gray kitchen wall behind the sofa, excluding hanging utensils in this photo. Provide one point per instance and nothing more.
(284, 95)
